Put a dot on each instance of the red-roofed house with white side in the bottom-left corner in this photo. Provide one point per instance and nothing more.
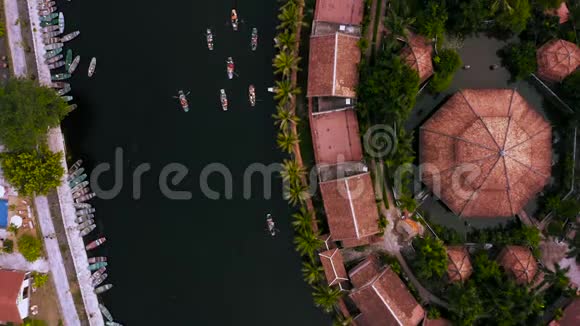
(14, 296)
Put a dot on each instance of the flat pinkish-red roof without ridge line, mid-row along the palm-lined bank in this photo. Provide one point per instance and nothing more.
(335, 136)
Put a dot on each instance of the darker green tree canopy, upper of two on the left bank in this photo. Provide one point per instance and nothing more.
(26, 112)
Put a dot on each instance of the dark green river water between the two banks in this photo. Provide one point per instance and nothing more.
(199, 261)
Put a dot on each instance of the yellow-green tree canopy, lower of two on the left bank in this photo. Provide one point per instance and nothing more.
(34, 173)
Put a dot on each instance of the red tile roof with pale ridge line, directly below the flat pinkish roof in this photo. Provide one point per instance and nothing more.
(350, 207)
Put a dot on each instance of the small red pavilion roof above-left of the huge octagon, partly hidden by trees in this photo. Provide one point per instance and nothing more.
(417, 54)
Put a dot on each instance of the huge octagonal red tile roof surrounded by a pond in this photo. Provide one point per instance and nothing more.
(486, 153)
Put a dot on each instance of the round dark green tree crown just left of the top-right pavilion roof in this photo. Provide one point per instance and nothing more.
(520, 59)
